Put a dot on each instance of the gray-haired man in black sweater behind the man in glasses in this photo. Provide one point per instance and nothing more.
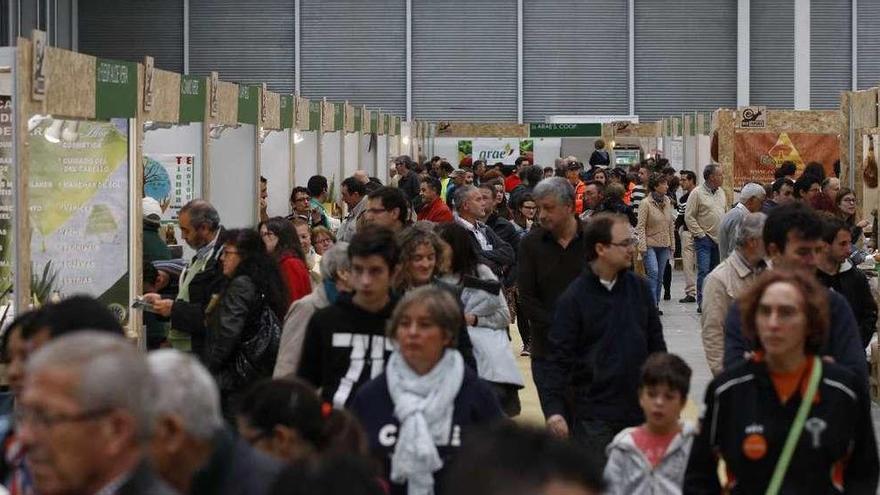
(551, 256)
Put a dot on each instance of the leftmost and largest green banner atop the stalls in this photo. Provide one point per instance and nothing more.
(115, 89)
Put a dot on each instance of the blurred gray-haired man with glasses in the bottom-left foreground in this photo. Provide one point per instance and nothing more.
(86, 416)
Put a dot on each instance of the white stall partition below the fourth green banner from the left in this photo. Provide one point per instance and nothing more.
(275, 167)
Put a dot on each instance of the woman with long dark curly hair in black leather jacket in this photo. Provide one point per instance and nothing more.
(251, 291)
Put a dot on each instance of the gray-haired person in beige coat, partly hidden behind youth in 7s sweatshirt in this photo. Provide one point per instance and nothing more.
(334, 272)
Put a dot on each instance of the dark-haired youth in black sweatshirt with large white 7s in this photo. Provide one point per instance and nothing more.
(345, 344)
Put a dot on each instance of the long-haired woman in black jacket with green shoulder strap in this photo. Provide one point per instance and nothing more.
(751, 407)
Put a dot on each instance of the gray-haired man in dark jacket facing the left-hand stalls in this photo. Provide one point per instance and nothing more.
(200, 227)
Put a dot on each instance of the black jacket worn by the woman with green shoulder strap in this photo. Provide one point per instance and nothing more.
(742, 401)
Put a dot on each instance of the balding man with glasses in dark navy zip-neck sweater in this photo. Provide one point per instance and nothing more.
(604, 329)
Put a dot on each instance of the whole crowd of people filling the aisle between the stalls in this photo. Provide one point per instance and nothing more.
(371, 353)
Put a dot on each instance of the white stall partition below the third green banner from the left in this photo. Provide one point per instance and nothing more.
(234, 176)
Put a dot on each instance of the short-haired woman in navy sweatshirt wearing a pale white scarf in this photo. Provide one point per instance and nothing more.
(417, 413)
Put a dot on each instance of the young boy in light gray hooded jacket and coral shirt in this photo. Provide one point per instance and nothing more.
(652, 458)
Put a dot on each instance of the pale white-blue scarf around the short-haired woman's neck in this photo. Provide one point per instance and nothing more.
(424, 405)
